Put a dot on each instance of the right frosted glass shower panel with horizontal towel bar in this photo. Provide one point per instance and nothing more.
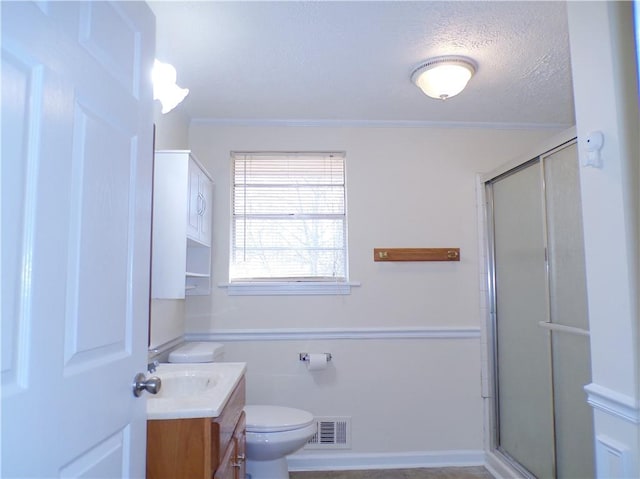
(568, 315)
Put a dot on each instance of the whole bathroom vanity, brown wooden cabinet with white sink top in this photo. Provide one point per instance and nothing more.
(196, 441)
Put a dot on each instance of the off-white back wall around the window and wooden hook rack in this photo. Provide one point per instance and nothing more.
(407, 187)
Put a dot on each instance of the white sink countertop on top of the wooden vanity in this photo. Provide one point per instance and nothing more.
(221, 379)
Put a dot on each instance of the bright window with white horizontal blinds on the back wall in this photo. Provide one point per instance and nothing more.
(289, 222)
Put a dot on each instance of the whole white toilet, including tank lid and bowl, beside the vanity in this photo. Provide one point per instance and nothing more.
(273, 432)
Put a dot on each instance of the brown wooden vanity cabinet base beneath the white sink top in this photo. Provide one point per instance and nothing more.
(199, 448)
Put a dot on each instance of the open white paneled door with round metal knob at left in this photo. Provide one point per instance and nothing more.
(76, 213)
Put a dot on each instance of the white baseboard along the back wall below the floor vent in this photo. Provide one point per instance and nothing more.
(351, 461)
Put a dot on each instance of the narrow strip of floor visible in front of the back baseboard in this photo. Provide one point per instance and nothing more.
(419, 473)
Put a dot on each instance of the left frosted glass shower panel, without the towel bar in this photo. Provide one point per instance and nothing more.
(523, 365)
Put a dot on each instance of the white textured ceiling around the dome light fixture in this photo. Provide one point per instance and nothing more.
(351, 61)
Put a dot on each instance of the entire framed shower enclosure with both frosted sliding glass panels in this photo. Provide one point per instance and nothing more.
(539, 331)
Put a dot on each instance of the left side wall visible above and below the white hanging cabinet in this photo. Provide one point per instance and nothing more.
(168, 315)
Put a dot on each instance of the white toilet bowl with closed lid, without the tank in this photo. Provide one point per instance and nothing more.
(273, 432)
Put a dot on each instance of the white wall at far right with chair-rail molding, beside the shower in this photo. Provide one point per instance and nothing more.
(605, 73)
